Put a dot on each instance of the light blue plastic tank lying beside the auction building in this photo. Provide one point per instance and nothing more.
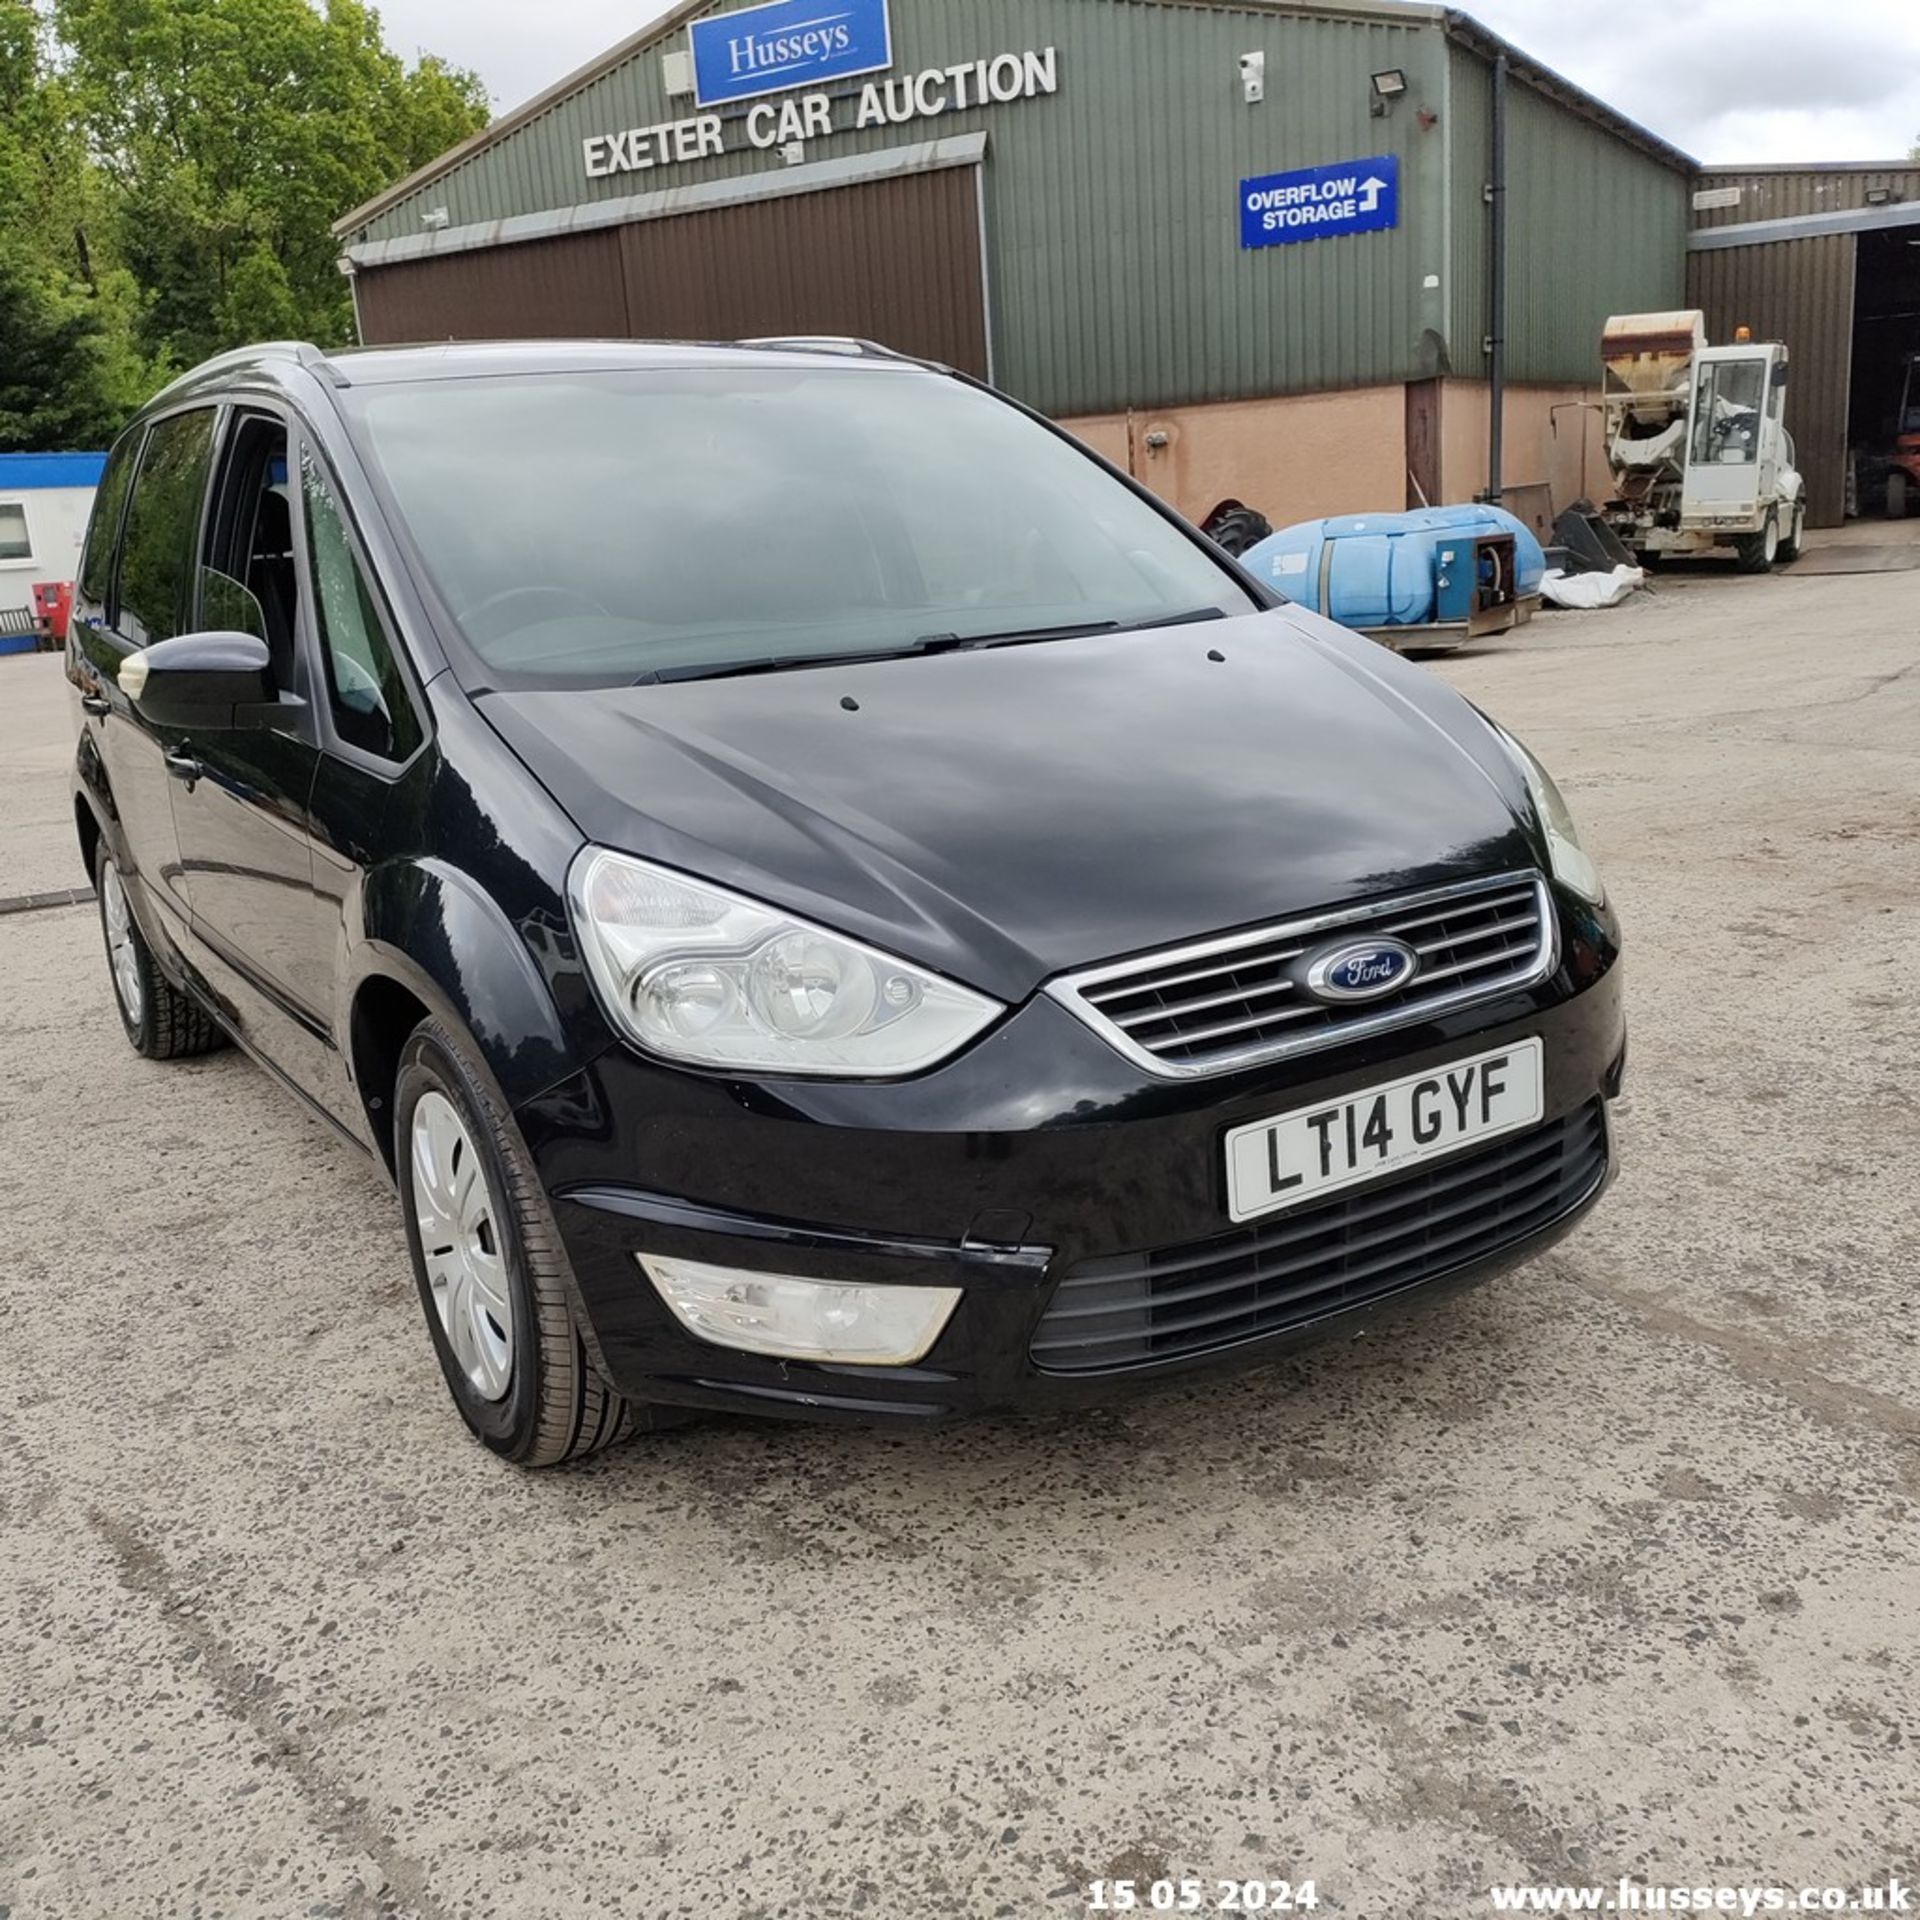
(1391, 569)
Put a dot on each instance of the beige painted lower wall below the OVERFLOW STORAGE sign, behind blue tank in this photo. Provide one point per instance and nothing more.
(1293, 458)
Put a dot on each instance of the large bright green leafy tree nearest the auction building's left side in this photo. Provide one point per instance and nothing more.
(229, 135)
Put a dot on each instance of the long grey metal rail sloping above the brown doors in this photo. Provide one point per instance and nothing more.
(846, 170)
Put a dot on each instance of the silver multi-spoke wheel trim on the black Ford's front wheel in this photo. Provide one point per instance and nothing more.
(462, 1245)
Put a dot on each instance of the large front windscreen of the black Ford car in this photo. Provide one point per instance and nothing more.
(592, 529)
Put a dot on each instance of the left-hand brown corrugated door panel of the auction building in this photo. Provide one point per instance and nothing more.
(539, 291)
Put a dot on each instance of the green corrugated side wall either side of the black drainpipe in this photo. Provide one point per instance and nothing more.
(1595, 228)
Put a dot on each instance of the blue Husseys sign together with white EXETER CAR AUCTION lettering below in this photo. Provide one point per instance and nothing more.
(790, 45)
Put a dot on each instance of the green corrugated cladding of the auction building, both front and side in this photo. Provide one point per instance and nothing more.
(1113, 229)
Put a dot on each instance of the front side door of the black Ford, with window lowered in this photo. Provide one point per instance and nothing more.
(241, 798)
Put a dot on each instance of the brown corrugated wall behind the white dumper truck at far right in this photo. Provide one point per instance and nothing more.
(1800, 293)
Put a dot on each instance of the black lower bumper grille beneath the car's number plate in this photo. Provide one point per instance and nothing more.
(1310, 1262)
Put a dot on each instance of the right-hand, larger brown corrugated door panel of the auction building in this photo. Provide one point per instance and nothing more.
(898, 262)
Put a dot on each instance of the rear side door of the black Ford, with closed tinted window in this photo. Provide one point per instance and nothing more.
(137, 592)
